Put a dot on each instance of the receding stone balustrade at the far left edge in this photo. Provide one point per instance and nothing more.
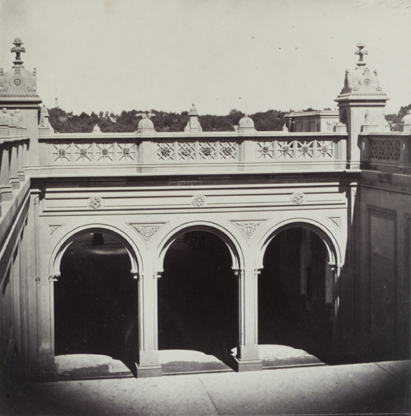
(13, 156)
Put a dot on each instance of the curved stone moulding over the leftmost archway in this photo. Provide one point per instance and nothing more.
(68, 238)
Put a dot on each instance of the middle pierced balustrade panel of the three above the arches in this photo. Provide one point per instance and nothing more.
(197, 151)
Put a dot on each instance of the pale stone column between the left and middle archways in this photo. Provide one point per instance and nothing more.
(148, 363)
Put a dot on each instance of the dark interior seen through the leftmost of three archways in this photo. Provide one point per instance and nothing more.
(95, 299)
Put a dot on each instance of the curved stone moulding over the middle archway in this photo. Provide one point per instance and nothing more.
(230, 241)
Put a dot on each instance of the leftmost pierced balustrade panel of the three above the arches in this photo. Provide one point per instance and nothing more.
(93, 153)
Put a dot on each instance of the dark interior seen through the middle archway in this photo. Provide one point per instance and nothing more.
(197, 296)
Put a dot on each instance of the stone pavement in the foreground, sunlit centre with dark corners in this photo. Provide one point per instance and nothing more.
(377, 388)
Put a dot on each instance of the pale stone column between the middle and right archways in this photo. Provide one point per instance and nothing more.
(247, 358)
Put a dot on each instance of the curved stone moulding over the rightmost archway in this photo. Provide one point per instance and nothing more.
(331, 243)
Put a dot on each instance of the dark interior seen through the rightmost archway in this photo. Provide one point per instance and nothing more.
(295, 293)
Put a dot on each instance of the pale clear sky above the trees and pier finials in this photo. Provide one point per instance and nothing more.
(251, 55)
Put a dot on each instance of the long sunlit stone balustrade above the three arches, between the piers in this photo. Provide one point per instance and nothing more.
(122, 153)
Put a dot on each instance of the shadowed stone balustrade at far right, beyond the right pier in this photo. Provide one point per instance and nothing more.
(386, 152)
